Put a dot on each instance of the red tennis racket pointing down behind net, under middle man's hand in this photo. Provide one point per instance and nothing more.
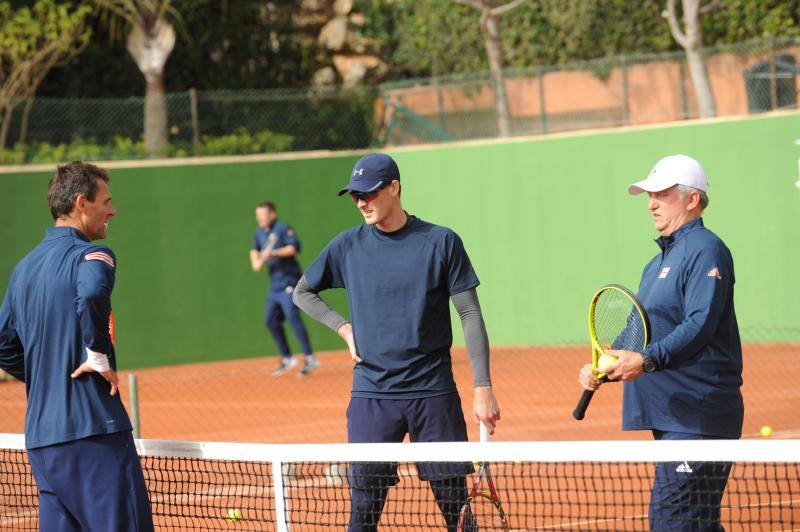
(483, 510)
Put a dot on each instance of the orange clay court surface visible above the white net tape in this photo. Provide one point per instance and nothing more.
(536, 386)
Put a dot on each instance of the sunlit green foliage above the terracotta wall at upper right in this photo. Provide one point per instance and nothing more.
(429, 37)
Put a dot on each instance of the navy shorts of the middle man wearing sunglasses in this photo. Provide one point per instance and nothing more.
(430, 419)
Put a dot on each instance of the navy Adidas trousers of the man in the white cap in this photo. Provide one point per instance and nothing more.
(687, 495)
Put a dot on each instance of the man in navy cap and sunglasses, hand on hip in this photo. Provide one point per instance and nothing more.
(400, 274)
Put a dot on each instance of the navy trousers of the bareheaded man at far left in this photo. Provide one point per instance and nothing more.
(91, 484)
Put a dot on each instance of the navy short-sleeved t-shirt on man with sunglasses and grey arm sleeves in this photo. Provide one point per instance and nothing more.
(398, 287)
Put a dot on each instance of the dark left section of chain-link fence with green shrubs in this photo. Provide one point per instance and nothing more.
(219, 122)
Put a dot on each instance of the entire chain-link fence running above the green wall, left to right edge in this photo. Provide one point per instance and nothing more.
(748, 78)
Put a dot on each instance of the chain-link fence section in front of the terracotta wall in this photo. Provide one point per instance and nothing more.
(752, 77)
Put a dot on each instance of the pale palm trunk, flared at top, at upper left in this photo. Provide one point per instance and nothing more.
(150, 41)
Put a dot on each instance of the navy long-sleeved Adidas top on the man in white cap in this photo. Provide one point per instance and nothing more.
(687, 291)
